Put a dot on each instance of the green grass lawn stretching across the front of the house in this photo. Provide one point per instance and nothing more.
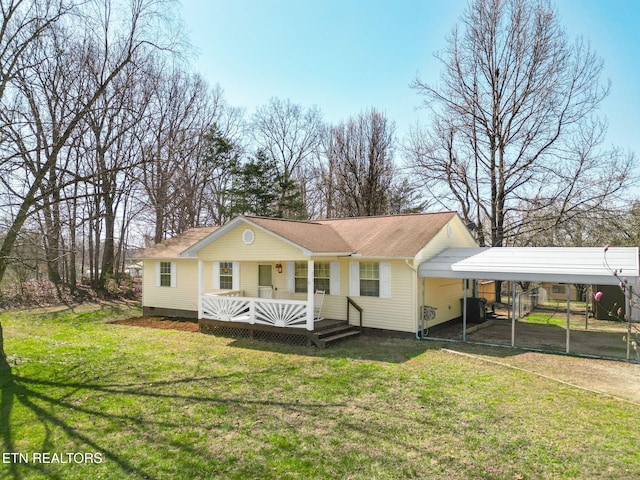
(166, 404)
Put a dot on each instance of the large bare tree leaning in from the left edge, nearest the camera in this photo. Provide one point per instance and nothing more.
(116, 36)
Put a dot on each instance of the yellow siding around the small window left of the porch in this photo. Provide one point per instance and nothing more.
(185, 294)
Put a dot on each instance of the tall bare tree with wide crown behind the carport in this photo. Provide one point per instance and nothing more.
(514, 126)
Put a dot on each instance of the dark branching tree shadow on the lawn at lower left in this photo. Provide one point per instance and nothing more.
(27, 392)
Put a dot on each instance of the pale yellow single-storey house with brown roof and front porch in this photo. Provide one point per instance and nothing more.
(266, 272)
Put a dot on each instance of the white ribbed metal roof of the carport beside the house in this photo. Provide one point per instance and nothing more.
(537, 264)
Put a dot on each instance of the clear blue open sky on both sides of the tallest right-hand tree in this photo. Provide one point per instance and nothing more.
(346, 56)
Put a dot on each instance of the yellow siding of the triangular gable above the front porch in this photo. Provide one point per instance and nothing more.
(265, 247)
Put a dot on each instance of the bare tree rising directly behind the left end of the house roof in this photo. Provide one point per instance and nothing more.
(174, 172)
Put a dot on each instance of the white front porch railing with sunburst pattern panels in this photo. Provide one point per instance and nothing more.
(263, 311)
